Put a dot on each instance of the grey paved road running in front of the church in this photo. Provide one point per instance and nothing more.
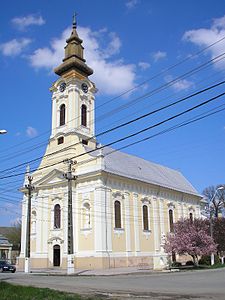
(209, 284)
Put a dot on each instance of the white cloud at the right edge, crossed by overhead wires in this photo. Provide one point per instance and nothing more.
(204, 37)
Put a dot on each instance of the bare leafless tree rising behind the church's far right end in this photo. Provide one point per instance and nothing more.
(215, 197)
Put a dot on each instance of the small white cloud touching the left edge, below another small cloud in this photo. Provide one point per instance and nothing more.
(14, 47)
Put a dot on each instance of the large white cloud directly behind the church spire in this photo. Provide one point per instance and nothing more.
(110, 75)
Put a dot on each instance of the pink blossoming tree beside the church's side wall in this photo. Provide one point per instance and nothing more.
(190, 238)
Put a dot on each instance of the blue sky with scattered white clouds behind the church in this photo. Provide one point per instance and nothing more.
(145, 54)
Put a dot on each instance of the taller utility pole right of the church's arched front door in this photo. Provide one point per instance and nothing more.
(70, 178)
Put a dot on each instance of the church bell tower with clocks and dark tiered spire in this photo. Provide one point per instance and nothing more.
(73, 94)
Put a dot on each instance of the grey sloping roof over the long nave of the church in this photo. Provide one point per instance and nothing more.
(133, 167)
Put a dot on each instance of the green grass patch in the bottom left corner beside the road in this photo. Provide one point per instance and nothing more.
(10, 291)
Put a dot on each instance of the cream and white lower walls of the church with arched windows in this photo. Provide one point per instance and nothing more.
(100, 238)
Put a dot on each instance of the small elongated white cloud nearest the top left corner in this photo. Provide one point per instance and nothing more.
(21, 23)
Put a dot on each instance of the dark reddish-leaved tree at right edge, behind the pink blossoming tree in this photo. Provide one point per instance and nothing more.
(219, 234)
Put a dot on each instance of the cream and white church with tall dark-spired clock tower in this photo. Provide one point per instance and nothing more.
(91, 206)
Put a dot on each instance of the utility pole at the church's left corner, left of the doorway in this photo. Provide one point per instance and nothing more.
(30, 188)
